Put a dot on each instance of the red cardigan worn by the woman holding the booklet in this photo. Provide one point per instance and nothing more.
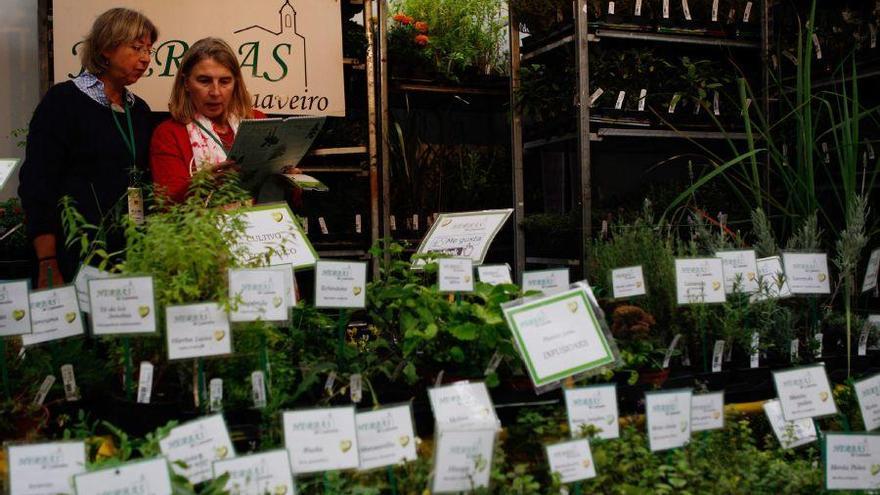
(170, 154)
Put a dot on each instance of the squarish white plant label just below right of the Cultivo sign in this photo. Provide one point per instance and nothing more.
(340, 284)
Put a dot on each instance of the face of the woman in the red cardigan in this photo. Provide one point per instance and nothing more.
(210, 86)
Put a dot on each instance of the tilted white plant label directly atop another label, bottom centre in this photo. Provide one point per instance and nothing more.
(463, 406)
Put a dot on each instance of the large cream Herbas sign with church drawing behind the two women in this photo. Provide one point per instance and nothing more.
(290, 51)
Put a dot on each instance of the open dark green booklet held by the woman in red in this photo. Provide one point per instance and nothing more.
(263, 147)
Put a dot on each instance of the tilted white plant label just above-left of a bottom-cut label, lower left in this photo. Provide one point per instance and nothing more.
(198, 444)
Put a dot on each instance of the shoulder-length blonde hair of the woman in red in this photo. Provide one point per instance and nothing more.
(181, 106)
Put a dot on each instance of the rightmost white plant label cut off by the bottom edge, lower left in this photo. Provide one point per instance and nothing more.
(257, 474)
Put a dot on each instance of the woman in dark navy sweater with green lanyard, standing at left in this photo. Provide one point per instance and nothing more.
(88, 139)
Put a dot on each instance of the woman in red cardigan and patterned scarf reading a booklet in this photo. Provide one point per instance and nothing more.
(208, 101)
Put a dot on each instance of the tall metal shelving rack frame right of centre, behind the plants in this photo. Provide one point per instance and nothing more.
(586, 133)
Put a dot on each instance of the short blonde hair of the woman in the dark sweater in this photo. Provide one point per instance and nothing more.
(111, 29)
